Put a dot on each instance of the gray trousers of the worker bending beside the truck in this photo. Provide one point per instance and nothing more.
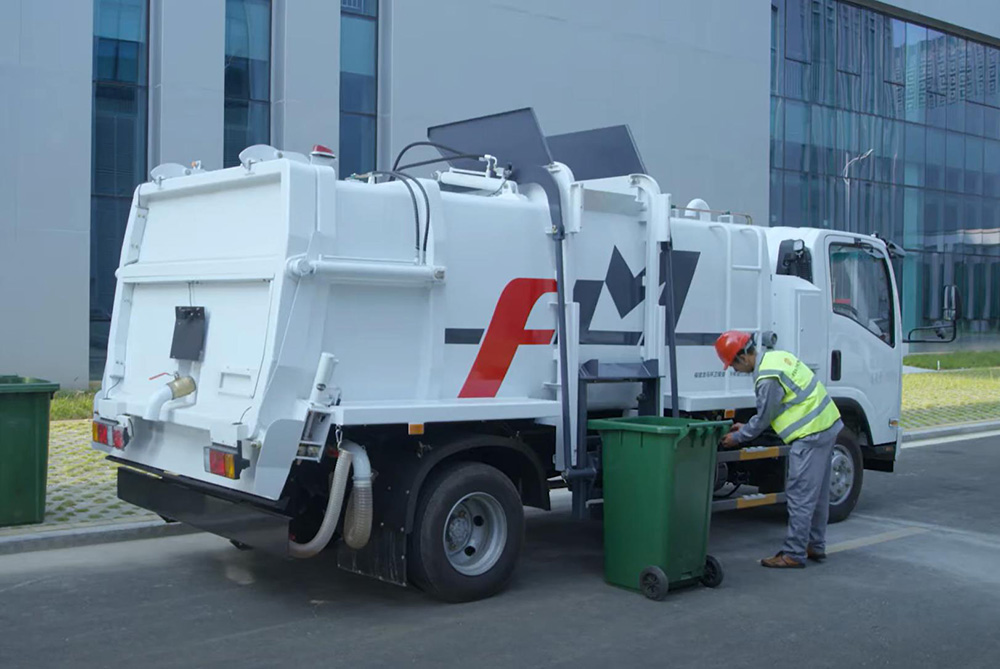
(807, 489)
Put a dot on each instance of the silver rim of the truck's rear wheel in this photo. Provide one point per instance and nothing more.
(475, 534)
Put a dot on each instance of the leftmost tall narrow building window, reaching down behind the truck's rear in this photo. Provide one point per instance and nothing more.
(118, 149)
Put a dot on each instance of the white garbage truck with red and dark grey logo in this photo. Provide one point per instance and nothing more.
(392, 367)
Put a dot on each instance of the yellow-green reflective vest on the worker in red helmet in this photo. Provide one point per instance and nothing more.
(807, 408)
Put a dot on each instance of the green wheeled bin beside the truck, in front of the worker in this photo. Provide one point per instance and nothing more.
(658, 477)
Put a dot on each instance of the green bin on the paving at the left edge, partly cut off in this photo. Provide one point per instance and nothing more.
(24, 448)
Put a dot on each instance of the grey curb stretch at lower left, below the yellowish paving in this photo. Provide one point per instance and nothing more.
(73, 537)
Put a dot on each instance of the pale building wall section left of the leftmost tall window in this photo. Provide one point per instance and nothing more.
(45, 111)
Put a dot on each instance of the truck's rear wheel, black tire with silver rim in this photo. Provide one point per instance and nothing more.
(468, 533)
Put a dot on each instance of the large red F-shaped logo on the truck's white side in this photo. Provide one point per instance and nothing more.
(505, 334)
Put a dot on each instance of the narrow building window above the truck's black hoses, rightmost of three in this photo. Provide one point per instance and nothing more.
(358, 85)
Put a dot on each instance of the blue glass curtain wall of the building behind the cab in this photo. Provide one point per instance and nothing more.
(846, 80)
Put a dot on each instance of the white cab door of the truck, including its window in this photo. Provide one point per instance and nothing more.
(865, 338)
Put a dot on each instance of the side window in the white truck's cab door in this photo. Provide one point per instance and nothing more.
(861, 289)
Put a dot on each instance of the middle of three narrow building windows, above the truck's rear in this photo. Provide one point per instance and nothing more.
(247, 77)
